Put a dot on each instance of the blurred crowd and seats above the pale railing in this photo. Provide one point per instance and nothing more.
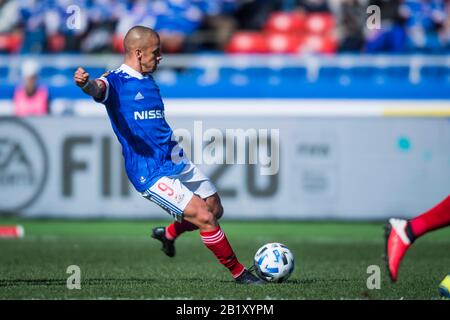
(31, 26)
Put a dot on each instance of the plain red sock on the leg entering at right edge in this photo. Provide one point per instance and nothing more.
(435, 218)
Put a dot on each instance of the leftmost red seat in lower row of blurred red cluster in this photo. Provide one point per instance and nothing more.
(247, 42)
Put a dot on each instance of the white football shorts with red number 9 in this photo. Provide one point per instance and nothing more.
(173, 193)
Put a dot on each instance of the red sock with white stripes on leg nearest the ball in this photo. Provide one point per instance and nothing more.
(217, 242)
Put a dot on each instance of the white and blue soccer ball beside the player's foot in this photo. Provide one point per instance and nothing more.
(274, 262)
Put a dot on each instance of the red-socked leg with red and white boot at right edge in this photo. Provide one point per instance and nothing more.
(400, 234)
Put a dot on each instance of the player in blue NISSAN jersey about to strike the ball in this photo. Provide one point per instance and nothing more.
(154, 163)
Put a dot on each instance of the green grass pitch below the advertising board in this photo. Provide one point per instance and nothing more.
(119, 260)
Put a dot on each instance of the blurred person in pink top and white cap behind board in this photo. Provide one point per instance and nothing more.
(30, 99)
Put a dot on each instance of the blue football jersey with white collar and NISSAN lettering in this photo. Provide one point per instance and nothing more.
(136, 112)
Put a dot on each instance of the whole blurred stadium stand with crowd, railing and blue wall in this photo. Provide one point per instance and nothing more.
(278, 49)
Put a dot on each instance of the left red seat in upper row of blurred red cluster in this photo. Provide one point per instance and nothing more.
(285, 22)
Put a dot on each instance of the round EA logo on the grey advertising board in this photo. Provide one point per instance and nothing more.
(23, 165)
